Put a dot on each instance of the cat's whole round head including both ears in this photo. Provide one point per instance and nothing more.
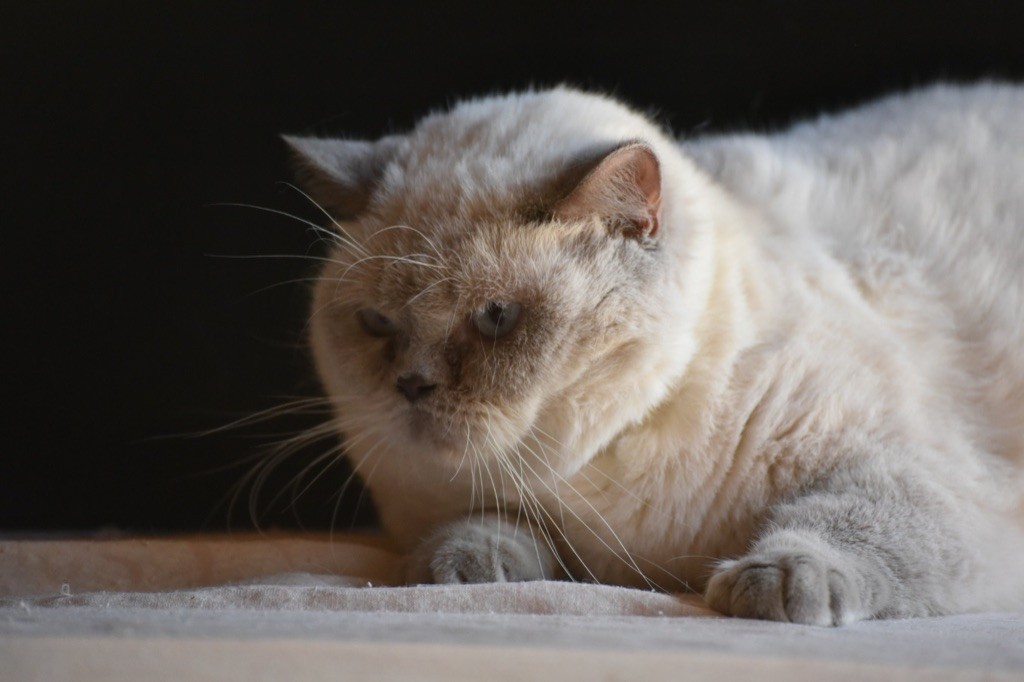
(498, 279)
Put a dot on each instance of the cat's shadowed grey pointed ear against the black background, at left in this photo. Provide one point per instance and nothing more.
(340, 175)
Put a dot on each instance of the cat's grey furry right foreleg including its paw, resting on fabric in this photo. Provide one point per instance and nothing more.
(857, 547)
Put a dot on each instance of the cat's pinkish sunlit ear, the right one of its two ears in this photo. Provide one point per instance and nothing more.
(624, 187)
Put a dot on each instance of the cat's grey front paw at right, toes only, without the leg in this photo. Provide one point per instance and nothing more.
(788, 586)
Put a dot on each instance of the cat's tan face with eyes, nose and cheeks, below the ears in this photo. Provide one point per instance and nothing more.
(456, 339)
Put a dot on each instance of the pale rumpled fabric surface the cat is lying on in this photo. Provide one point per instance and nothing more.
(289, 608)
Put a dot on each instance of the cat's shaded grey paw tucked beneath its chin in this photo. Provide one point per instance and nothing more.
(484, 550)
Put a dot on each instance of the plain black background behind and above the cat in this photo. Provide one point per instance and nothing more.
(131, 327)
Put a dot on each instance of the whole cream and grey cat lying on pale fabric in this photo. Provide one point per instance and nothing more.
(783, 370)
